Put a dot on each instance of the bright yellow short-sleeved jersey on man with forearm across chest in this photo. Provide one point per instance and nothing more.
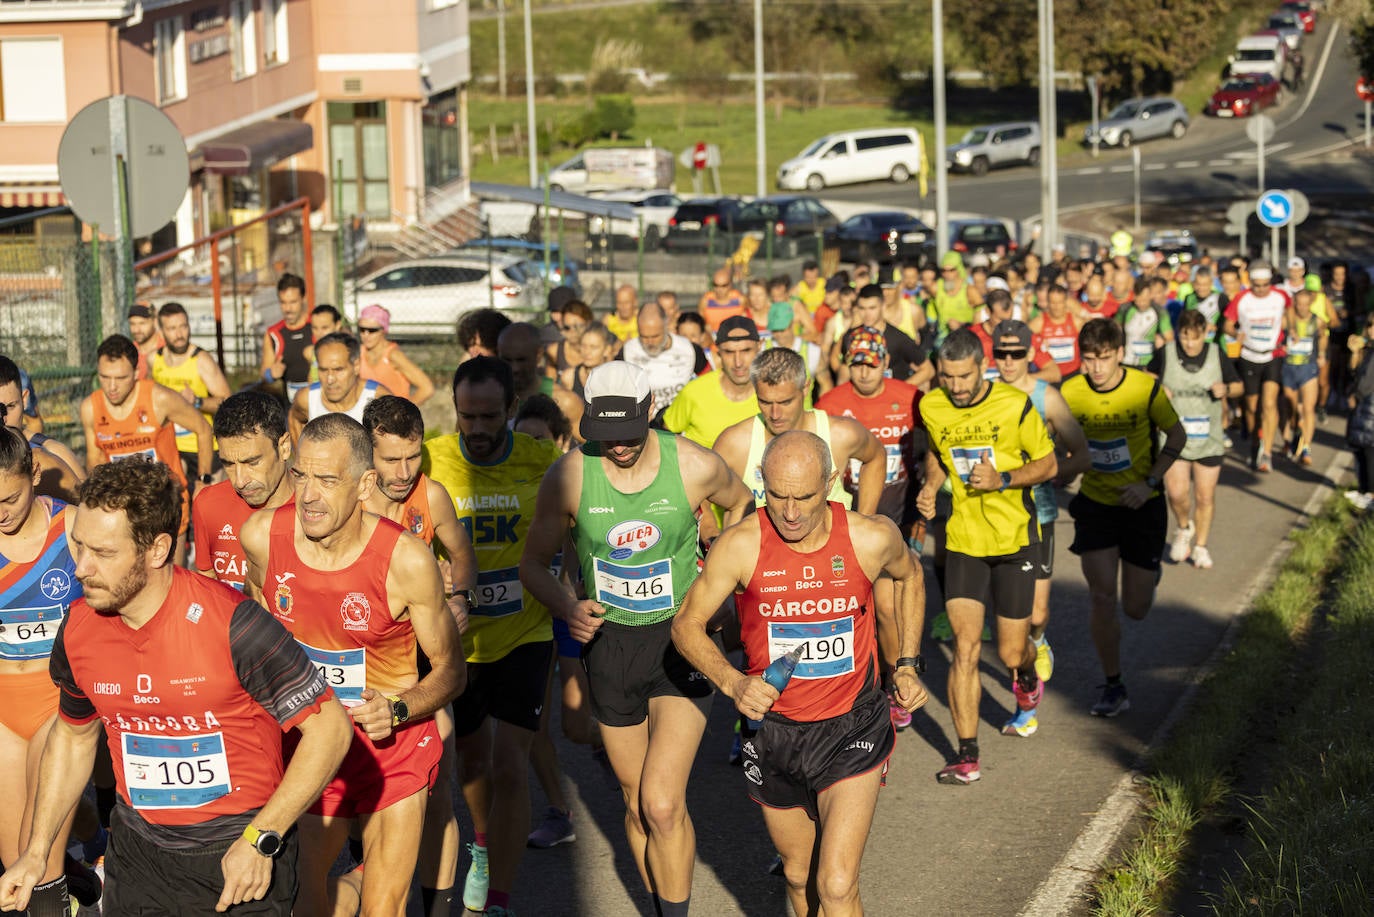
(1004, 428)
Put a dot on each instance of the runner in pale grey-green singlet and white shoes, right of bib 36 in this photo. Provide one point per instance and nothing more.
(1197, 377)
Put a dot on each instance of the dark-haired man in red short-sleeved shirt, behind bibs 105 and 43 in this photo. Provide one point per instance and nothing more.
(255, 453)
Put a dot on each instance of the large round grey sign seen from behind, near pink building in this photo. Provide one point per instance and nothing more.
(152, 151)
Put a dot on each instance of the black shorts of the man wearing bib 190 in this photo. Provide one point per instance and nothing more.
(789, 764)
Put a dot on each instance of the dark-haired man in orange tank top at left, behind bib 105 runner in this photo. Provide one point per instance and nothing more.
(128, 417)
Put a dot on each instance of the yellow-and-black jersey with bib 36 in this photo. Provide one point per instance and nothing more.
(1120, 427)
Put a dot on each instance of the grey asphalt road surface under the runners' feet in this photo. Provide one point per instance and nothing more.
(1030, 835)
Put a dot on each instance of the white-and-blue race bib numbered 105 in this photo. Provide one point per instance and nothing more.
(185, 772)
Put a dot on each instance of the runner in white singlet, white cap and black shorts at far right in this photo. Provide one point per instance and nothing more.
(1257, 320)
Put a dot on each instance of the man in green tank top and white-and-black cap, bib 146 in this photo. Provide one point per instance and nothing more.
(629, 497)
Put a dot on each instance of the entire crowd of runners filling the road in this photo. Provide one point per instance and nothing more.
(251, 639)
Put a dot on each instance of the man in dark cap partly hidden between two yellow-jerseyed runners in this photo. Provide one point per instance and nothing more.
(1013, 357)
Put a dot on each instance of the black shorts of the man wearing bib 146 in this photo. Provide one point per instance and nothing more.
(626, 666)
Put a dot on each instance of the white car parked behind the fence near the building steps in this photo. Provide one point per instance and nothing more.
(428, 296)
